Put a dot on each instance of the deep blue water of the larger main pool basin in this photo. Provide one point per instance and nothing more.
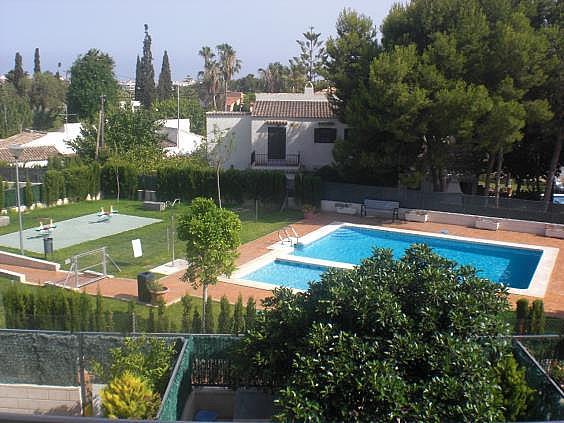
(513, 267)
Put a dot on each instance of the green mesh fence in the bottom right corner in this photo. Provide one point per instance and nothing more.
(532, 353)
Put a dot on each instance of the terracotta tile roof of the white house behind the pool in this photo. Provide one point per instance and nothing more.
(294, 109)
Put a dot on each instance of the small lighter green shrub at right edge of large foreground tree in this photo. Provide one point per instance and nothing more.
(517, 395)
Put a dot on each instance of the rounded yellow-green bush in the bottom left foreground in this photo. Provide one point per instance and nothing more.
(128, 397)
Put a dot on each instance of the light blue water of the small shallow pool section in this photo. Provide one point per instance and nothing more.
(292, 274)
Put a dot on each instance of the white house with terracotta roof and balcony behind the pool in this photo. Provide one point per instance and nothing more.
(284, 131)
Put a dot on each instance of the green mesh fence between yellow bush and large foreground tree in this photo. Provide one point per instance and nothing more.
(204, 360)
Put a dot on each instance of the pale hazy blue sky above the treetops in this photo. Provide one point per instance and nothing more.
(260, 31)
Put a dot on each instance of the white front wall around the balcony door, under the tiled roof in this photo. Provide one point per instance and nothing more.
(299, 139)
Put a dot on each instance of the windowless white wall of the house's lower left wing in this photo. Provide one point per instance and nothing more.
(236, 125)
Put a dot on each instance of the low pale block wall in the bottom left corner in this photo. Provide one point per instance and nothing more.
(40, 399)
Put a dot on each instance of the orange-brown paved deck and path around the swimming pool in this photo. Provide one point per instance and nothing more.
(127, 288)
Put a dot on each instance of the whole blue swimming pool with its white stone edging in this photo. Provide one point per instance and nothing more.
(525, 269)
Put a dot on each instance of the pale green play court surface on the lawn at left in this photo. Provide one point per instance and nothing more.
(77, 230)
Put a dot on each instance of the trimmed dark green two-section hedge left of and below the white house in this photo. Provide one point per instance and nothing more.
(189, 181)
